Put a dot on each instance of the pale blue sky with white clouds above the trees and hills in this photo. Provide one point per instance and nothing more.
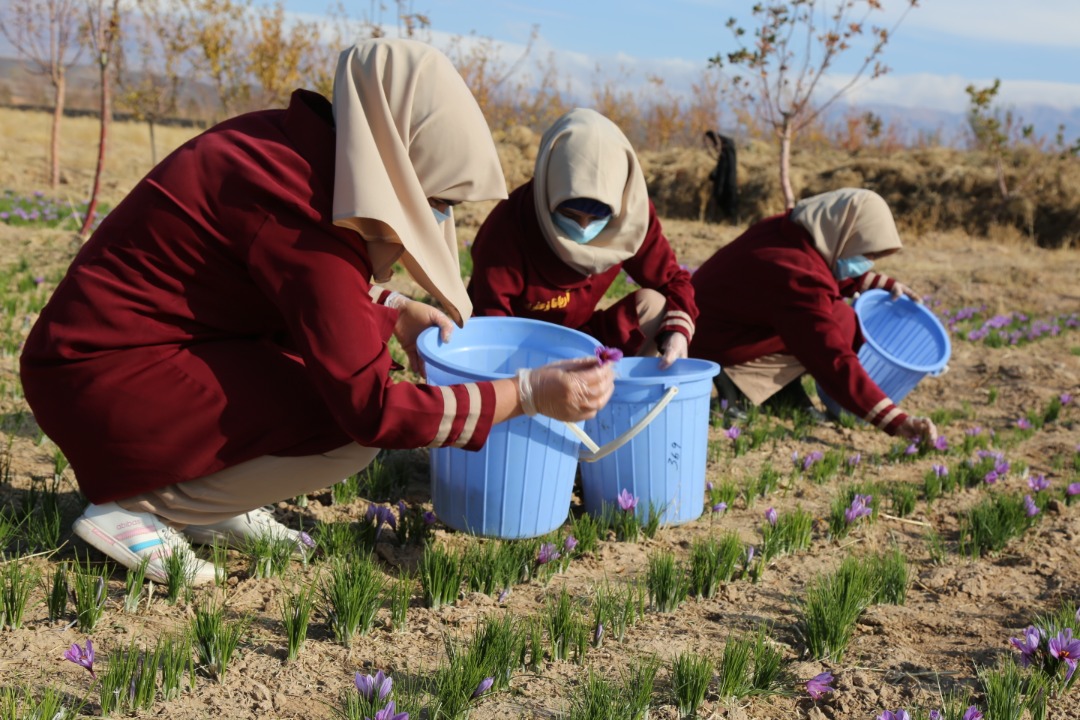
(941, 47)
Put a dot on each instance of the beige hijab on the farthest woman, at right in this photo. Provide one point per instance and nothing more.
(847, 223)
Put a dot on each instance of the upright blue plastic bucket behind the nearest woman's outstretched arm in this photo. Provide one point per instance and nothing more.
(519, 485)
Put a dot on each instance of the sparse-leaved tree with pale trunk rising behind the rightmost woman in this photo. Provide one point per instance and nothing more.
(795, 44)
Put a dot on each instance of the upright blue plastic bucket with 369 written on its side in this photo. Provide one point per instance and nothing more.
(665, 463)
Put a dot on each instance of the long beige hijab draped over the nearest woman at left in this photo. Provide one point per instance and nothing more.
(409, 129)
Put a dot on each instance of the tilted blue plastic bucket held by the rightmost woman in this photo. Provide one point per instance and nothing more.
(904, 343)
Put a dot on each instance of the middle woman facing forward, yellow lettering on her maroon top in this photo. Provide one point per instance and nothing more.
(555, 248)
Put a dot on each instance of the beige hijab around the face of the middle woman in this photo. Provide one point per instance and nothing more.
(585, 155)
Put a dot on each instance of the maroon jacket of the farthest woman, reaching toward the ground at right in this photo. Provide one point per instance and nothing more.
(771, 292)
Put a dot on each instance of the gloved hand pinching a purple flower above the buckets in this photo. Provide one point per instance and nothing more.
(569, 390)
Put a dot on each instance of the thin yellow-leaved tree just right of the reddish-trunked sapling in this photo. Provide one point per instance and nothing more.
(150, 88)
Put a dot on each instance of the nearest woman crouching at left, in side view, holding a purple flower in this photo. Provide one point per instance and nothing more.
(219, 345)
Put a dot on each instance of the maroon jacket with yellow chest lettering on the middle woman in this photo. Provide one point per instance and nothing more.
(516, 274)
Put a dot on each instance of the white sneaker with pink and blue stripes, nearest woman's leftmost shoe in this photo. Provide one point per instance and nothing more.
(129, 538)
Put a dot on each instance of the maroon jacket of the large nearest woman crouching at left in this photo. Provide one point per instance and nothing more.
(219, 316)
